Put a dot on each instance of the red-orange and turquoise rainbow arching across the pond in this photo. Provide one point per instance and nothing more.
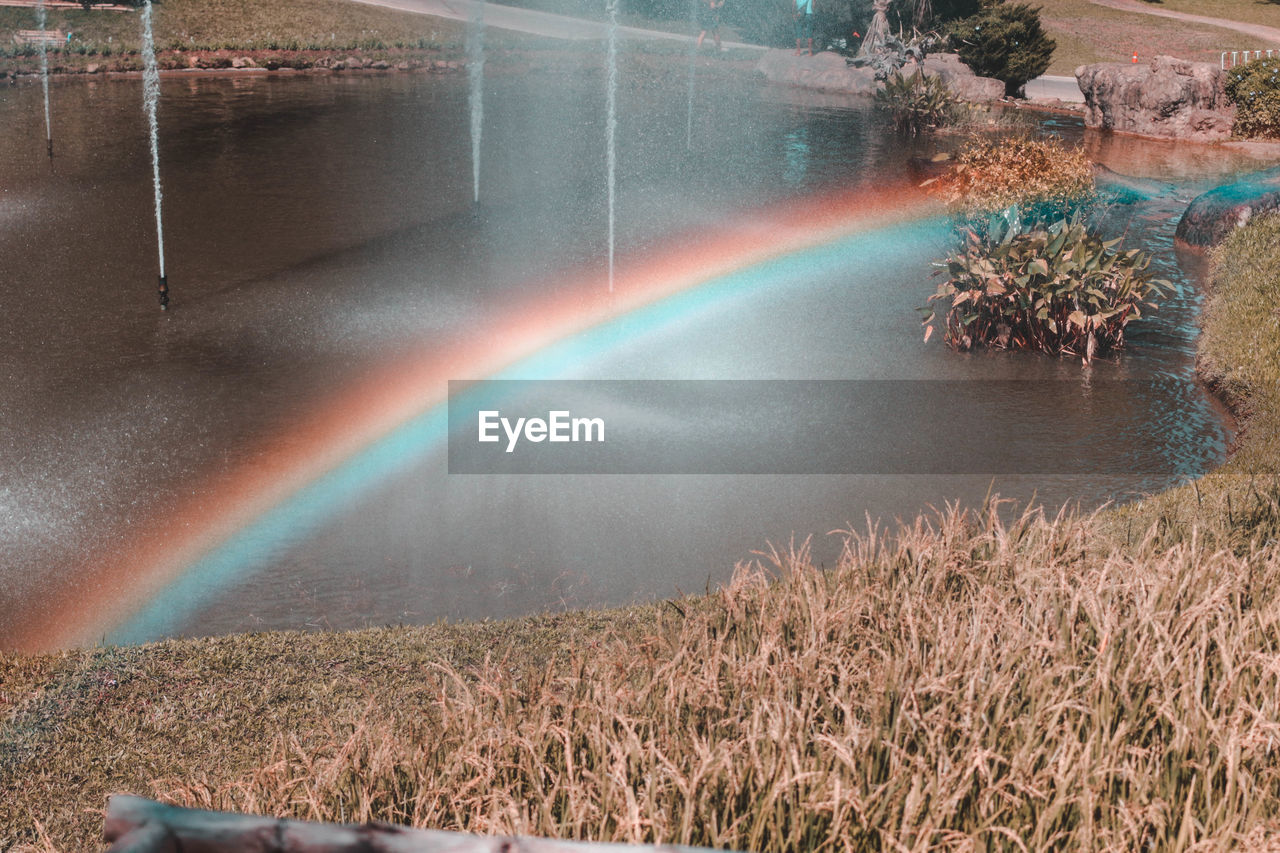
(397, 412)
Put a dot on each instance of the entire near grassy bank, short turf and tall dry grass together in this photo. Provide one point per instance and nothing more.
(1103, 682)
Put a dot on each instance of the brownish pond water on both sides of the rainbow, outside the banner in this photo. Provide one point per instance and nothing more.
(321, 227)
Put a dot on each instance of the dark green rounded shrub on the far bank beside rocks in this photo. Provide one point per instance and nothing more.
(1007, 42)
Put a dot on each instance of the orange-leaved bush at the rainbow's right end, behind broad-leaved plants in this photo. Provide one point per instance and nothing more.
(1040, 180)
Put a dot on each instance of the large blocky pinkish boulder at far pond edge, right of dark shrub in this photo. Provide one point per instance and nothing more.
(1168, 98)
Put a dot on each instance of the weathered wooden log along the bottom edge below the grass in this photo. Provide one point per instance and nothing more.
(138, 825)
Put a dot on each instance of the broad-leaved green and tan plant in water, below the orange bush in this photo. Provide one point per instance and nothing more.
(1058, 290)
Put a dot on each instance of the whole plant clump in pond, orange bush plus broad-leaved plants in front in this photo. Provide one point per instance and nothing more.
(1031, 275)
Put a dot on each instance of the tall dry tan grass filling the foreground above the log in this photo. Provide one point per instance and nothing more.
(961, 685)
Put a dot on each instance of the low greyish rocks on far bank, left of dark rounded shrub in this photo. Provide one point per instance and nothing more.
(831, 74)
